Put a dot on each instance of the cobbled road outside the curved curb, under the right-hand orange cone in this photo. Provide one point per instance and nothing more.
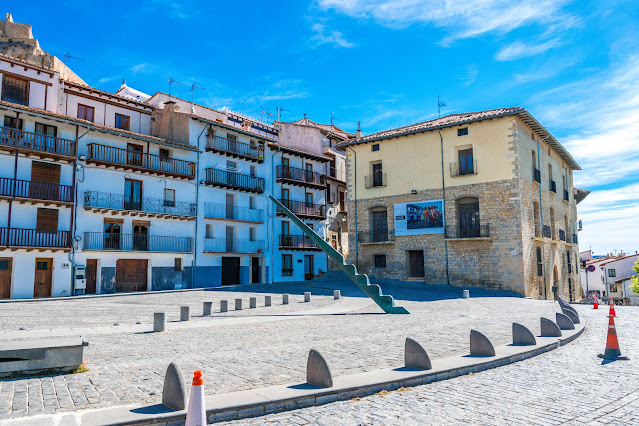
(569, 385)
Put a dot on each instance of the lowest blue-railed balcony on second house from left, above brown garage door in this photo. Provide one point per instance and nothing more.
(137, 242)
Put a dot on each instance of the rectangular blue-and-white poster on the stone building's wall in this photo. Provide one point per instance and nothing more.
(419, 217)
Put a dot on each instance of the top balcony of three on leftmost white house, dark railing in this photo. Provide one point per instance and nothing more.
(37, 144)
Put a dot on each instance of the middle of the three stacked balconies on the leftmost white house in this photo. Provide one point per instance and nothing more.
(24, 190)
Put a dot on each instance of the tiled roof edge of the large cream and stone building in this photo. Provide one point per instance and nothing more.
(470, 117)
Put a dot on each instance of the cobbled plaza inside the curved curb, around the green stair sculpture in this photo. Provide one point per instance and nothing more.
(126, 367)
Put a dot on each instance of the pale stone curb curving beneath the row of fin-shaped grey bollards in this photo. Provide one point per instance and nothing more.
(257, 402)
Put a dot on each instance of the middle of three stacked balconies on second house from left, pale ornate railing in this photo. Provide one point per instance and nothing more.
(146, 206)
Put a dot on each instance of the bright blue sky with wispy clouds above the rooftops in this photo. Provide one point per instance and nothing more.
(573, 64)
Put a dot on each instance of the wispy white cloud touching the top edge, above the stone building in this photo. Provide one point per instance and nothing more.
(464, 19)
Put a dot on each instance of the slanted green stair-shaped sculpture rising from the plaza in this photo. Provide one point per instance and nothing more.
(374, 291)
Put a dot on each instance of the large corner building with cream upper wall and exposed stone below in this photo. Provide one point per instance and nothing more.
(472, 199)
